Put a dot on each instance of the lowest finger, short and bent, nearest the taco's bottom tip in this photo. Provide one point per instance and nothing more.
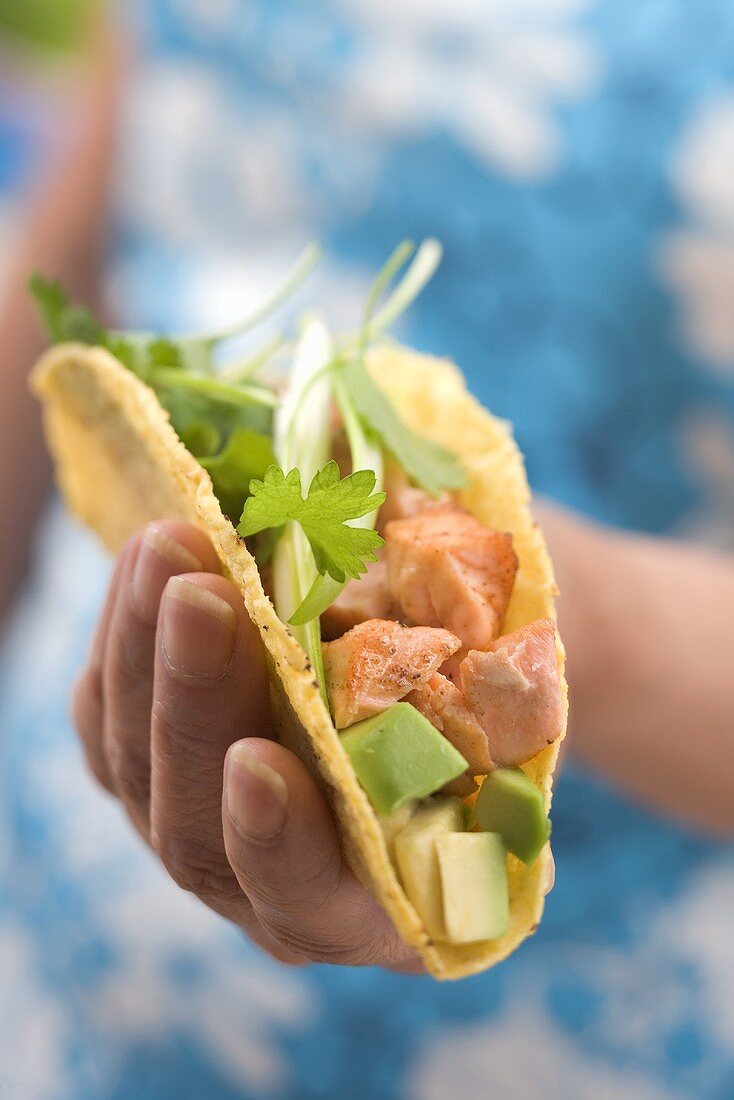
(283, 845)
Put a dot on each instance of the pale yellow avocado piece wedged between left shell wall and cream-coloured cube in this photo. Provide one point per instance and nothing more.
(418, 861)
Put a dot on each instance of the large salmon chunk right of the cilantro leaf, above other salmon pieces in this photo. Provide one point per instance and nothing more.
(446, 569)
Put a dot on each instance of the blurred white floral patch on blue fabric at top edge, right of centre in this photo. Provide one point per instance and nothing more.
(517, 61)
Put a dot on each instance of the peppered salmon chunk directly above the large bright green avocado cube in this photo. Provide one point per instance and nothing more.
(377, 664)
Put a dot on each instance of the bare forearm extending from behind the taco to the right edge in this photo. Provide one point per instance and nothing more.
(648, 624)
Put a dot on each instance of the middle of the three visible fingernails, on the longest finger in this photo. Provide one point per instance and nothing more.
(198, 631)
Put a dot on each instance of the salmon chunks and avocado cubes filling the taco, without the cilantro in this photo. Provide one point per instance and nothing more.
(417, 650)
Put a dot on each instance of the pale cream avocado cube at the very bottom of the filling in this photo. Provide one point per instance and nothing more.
(474, 871)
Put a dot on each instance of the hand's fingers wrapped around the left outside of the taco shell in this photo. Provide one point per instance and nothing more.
(173, 712)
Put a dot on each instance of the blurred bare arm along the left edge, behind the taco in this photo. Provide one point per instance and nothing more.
(62, 236)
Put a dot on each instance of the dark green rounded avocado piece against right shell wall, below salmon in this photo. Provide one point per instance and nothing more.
(512, 806)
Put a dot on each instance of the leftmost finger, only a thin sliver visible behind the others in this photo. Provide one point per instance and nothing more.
(87, 699)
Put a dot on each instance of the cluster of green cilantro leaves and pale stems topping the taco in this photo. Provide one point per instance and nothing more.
(227, 423)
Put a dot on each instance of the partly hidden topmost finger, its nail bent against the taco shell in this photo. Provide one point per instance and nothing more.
(166, 548)
